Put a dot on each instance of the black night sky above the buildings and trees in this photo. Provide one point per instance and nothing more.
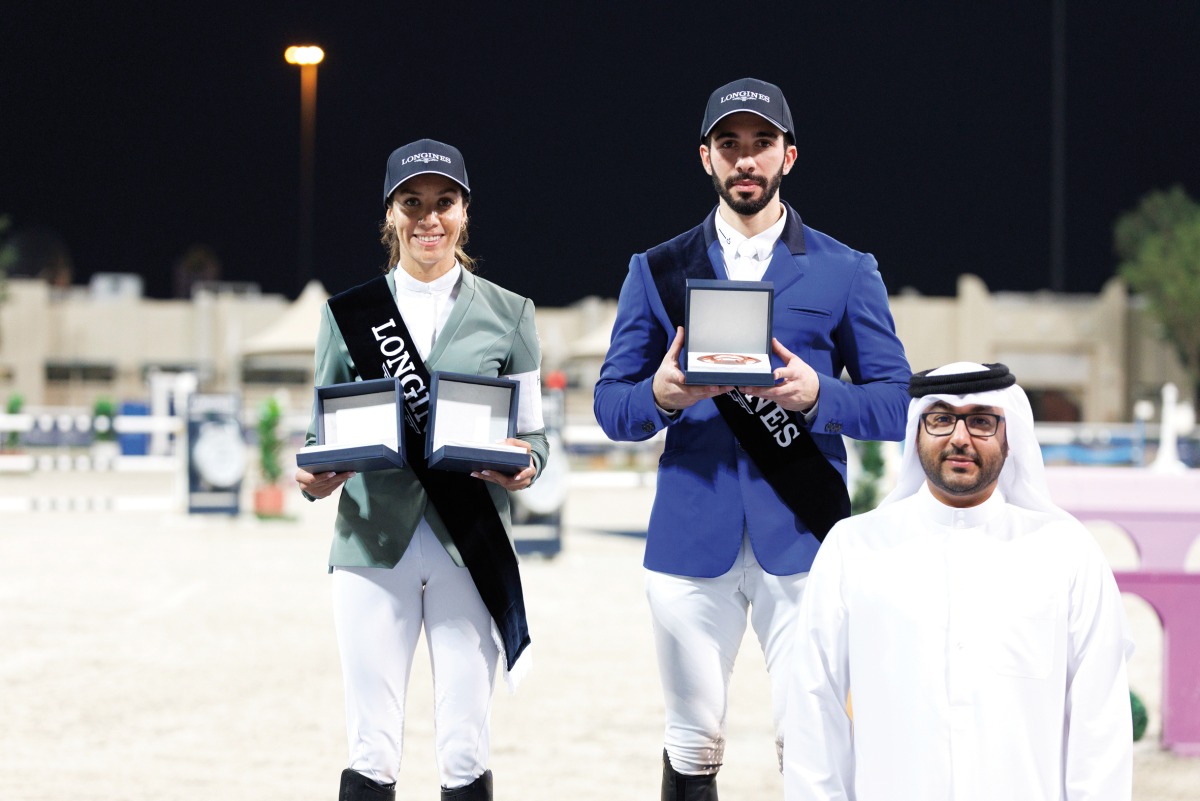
(925, 130)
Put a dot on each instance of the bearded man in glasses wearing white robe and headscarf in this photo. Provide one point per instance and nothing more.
(976, 625)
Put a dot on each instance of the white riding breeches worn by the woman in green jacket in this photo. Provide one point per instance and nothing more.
(379, 615)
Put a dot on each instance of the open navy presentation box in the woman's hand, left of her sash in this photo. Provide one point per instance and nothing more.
(359, 427)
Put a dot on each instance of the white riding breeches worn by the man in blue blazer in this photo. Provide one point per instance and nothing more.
(699, 624)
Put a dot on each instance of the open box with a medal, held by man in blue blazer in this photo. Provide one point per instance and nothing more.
(728, 333)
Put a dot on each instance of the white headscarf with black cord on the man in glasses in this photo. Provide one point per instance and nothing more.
(1023, 479)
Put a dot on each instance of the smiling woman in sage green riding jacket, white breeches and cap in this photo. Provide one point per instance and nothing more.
(416, 547)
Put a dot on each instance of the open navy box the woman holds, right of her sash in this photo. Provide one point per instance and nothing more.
(470, 417)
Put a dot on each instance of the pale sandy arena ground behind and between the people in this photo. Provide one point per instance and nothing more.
(158, 657)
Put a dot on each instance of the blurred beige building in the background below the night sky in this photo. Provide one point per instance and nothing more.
(1084, 358)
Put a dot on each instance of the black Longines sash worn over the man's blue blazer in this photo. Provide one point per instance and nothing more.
(787, 455)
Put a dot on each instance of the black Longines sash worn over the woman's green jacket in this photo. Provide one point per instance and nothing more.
(381, 347)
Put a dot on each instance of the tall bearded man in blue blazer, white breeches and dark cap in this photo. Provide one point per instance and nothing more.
(752, 478)
